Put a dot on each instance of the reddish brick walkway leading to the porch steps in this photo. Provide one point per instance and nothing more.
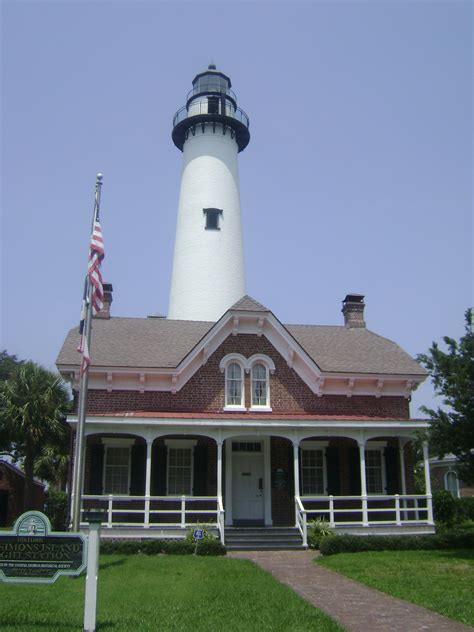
(356, 607)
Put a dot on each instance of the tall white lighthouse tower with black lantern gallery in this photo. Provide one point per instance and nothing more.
(208, 265)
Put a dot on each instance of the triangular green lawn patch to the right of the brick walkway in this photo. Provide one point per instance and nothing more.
(440, 580)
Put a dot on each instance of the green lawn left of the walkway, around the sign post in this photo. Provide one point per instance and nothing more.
(164, 593)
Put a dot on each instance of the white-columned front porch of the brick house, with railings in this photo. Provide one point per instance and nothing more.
(153, 484)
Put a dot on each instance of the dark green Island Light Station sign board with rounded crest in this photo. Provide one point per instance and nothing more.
(30, 553)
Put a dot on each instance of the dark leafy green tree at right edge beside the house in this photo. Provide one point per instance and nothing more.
(452, 373)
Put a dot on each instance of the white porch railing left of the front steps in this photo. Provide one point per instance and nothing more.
(180, 512)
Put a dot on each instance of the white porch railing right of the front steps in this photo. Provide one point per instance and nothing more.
(406, 509)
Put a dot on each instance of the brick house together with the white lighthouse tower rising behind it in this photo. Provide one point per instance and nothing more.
(220, 413)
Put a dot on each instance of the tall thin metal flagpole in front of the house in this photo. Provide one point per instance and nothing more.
(84, 381)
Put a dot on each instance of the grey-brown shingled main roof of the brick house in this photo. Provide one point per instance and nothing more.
(163, 343)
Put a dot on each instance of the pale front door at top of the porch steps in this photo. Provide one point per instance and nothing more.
(247, 487)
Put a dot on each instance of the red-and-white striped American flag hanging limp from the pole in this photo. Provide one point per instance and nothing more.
(94, 277)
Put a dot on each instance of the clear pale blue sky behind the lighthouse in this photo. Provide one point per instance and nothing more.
(357, 178)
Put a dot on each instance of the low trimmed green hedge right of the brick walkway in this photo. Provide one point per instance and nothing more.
(454, 539)
